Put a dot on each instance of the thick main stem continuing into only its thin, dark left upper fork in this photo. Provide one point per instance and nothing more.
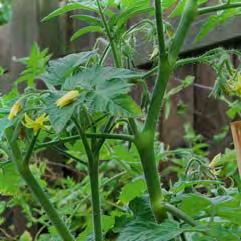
(145, 140)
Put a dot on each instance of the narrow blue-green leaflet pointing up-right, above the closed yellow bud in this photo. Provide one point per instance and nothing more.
(58, 70)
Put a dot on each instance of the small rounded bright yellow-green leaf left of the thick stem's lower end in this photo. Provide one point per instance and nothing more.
(132, 190)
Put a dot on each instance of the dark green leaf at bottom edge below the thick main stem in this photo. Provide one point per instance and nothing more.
(143, 230)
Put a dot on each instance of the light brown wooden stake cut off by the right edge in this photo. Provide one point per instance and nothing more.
(236, 132)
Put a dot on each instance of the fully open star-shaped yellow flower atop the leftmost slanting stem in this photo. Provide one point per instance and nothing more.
(36, 124)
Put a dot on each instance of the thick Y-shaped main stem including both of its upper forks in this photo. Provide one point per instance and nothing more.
(145, 140)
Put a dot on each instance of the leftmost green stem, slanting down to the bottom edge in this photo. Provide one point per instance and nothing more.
(40, 195)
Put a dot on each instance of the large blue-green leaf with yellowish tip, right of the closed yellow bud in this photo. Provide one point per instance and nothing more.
(106, 90)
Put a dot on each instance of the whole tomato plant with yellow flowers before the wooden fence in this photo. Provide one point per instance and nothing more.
(86, 100)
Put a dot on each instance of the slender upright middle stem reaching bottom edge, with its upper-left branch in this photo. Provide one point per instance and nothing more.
(93, 168)
